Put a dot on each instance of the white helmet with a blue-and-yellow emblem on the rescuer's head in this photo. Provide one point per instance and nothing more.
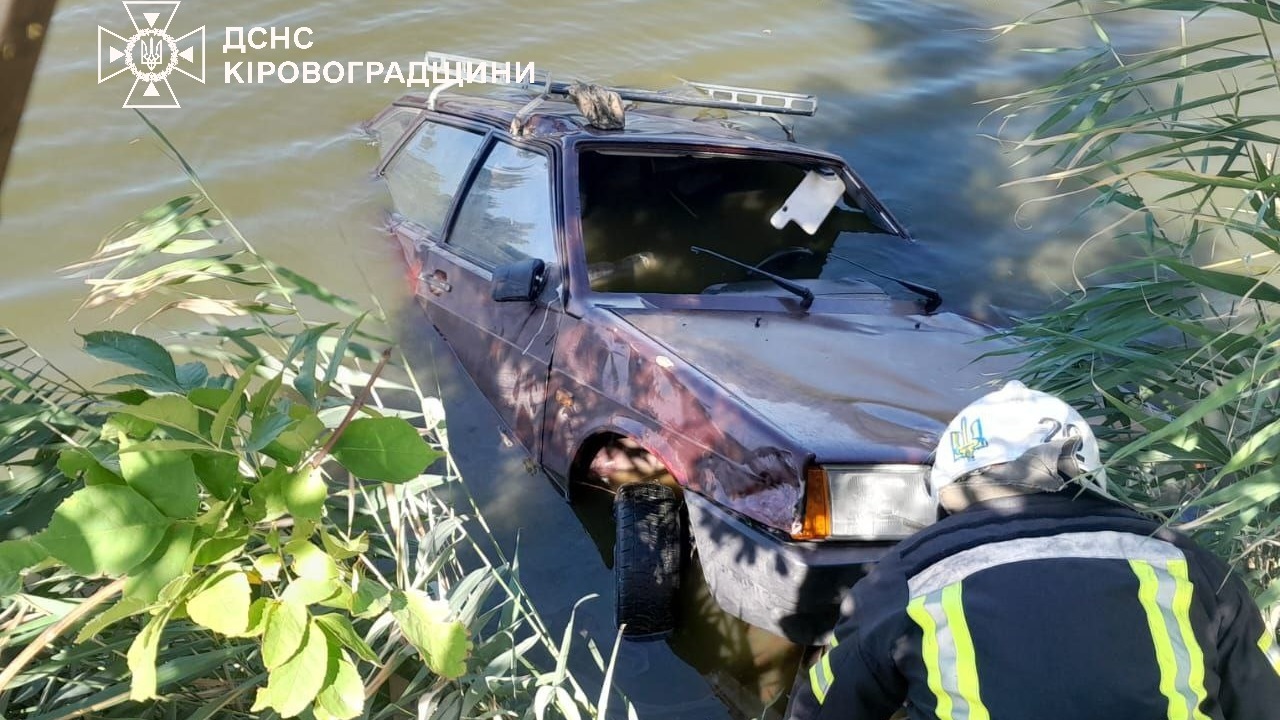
(1048, 439)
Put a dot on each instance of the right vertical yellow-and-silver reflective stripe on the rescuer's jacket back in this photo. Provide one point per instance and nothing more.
(1186, 692)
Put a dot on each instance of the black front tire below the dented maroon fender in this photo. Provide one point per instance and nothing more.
(647, 558)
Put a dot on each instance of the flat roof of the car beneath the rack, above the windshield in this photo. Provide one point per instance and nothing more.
(561, 121)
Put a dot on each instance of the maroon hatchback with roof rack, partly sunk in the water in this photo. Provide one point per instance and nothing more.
(676, 309)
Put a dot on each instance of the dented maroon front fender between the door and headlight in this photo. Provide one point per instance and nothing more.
(609, 377)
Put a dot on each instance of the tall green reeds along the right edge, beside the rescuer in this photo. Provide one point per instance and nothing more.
(1176, 353)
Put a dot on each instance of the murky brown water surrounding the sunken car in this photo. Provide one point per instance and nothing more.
(899, 85)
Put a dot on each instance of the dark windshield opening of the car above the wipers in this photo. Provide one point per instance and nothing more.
(643, 215)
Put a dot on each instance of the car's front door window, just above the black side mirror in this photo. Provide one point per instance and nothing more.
(508, 215)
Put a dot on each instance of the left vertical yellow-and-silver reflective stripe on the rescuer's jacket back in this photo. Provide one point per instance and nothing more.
(950, 660)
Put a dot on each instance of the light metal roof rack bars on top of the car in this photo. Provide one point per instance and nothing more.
(717, 97)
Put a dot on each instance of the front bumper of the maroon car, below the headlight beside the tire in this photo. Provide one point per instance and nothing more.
(789, 589)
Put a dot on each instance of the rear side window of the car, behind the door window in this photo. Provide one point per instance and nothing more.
(427, 174)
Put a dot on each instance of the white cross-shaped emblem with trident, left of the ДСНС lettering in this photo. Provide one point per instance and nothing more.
(152, 53)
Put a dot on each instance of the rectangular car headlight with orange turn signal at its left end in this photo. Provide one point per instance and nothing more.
(871, 503)
